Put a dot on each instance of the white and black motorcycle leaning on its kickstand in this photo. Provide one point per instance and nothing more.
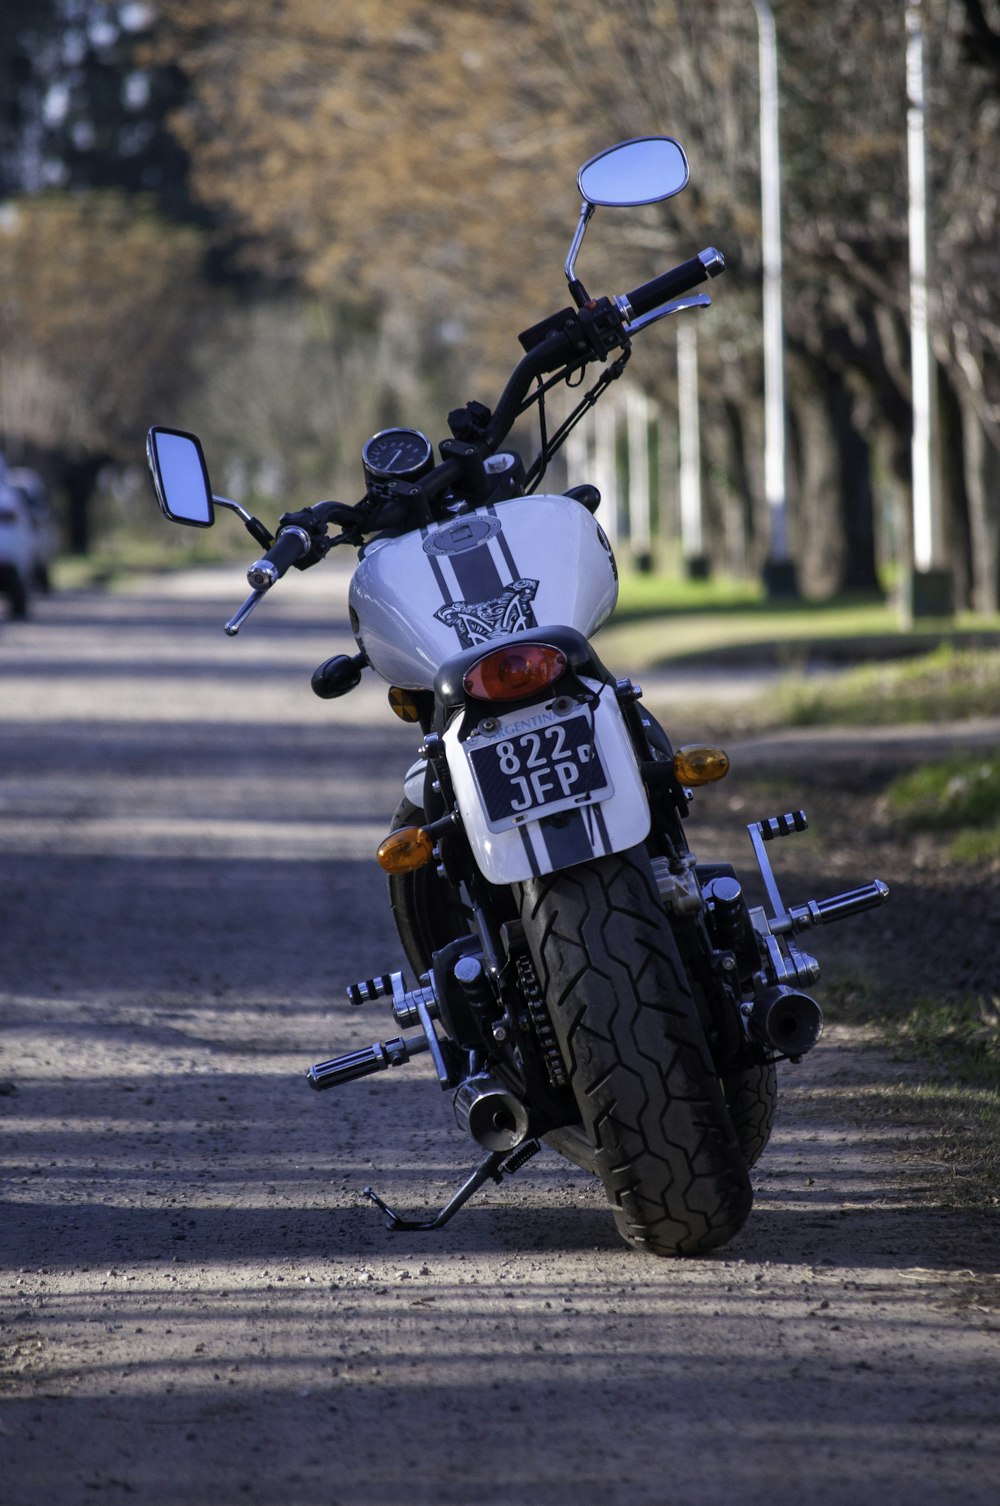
(581, 978)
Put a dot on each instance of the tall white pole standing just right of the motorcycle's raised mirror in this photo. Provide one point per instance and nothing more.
(779, 572)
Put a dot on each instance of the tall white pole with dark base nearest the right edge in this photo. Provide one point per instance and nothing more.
(930, 588)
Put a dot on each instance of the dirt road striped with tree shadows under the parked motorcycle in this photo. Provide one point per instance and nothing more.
(198, 1306)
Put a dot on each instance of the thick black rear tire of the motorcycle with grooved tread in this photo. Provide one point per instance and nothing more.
(651, 1105)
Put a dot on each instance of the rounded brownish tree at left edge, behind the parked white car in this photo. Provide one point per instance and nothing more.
(97, 309)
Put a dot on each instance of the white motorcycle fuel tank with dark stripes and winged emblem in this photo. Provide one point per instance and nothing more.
(529, 562)
